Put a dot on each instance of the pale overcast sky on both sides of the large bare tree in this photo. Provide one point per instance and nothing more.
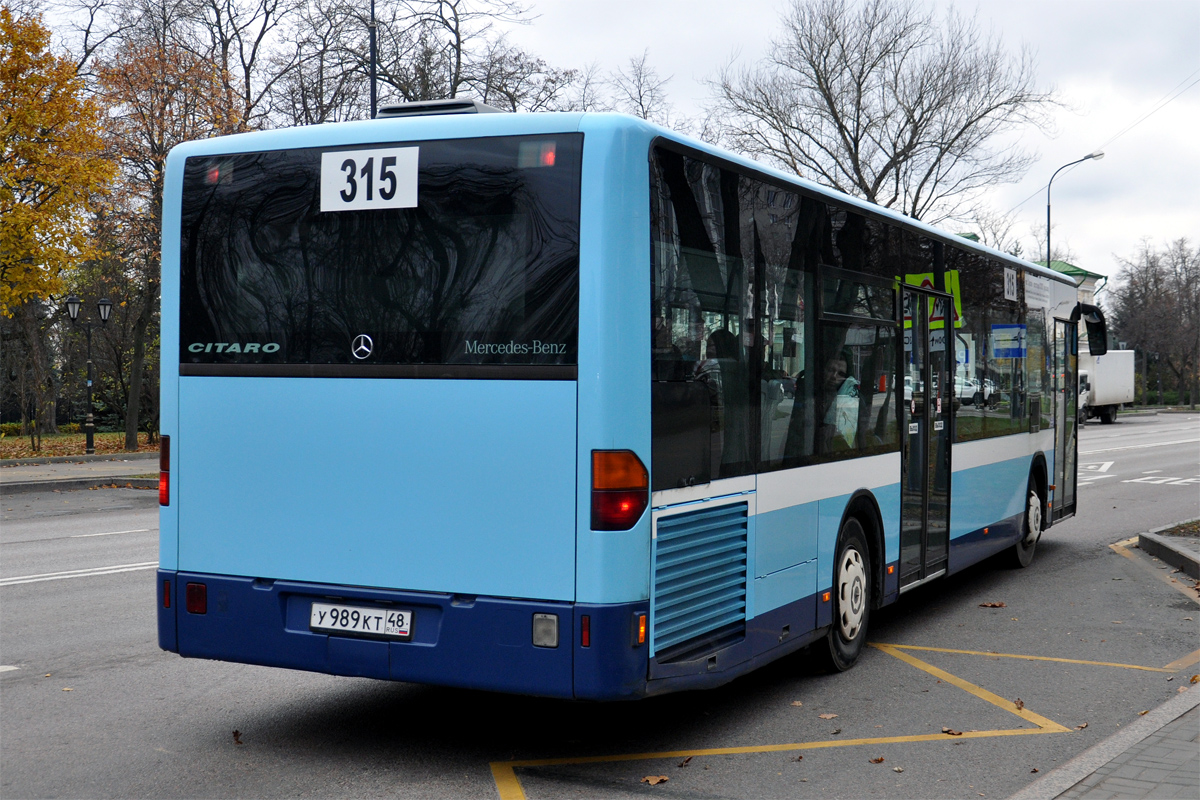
(1112, 62)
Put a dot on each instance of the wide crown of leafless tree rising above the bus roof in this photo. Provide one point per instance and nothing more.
(883, 101)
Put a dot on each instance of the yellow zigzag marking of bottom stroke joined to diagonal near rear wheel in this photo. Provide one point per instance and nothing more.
(509, 786)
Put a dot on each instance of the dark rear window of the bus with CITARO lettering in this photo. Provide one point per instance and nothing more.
(453, 261)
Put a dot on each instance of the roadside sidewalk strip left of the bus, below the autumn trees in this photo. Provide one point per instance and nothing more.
(21, 476)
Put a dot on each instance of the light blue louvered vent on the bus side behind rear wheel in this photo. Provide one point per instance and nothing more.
(700, 580)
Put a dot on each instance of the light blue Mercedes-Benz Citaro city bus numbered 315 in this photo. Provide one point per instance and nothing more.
(573, 406)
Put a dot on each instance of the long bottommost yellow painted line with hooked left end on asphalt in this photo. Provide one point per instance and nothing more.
(509, 787)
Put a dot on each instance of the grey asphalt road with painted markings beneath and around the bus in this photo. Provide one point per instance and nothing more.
(89, 706)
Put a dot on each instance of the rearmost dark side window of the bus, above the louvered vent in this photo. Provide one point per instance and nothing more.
(699, 300)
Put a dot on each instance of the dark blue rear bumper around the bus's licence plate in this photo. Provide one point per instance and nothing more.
(458, 641)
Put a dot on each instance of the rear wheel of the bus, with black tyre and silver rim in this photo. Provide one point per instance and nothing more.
(851, 600)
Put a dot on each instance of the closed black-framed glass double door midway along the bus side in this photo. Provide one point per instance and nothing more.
(926, 432)
